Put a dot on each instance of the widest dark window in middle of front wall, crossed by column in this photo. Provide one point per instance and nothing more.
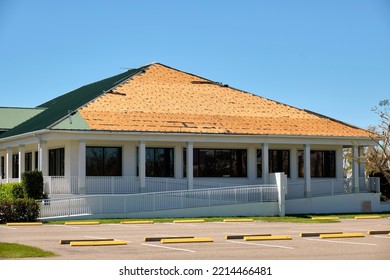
(219, 163)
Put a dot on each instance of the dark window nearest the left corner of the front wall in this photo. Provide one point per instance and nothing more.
(103, 161)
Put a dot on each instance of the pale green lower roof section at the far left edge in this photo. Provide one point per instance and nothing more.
(13, 116)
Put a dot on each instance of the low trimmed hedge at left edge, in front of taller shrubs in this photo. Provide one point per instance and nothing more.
(18, 210)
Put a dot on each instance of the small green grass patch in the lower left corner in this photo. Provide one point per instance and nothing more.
(15, 250)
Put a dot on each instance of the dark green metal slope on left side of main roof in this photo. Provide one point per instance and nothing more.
(58, 108)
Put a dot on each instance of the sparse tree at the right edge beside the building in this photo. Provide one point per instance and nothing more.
(377, 158)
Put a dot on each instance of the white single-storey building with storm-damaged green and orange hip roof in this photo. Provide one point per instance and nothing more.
(156, 128)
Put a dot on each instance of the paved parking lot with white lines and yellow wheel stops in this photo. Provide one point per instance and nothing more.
(368, 247)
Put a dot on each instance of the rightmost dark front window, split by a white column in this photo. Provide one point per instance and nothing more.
(322, 164)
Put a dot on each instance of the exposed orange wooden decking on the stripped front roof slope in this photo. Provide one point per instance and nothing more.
(163, 99)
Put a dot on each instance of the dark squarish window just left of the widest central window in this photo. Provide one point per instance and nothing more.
(159, 162)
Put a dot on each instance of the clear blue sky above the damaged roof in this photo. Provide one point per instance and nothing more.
(327, 56)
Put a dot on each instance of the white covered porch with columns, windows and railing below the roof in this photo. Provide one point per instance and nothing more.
(120, 163)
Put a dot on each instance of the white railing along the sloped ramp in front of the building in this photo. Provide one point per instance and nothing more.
(154, 201)
